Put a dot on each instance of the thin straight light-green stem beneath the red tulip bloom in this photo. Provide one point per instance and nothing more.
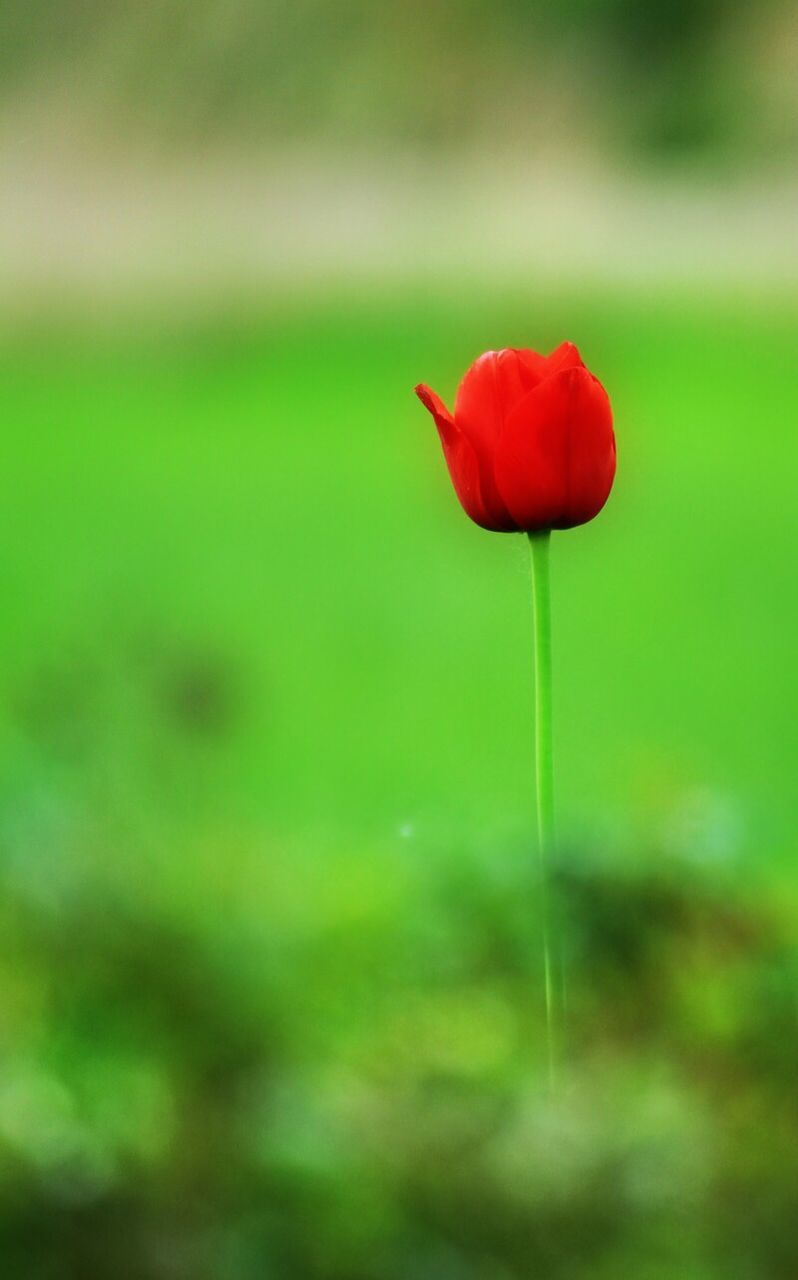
(540, 546)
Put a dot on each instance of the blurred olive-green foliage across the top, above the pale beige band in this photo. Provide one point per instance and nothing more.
(690, 76)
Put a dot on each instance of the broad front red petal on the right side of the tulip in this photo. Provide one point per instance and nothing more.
(555, 463)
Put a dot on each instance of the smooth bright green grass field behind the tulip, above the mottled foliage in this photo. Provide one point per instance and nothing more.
(259, 508)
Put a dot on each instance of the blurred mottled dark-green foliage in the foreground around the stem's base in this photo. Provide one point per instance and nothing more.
(353, 1086)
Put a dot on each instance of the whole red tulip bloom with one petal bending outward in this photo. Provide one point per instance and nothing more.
(531, 442)
